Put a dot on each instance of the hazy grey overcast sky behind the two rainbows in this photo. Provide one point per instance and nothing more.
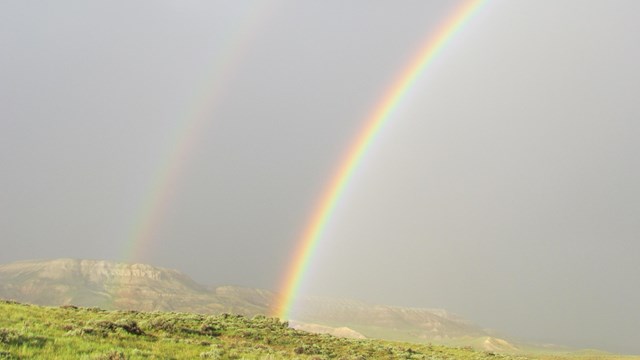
(505, 188)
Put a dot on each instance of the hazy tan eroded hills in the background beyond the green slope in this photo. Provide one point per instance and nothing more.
(118, 286)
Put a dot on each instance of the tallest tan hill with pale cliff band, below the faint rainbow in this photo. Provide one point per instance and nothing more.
(99, 283)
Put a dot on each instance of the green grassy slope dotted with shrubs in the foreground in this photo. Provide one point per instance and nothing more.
(32, 332)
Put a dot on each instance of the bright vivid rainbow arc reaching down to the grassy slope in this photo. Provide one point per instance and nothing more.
(379, 117)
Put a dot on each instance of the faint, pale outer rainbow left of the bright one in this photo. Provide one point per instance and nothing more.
(190, 127)
